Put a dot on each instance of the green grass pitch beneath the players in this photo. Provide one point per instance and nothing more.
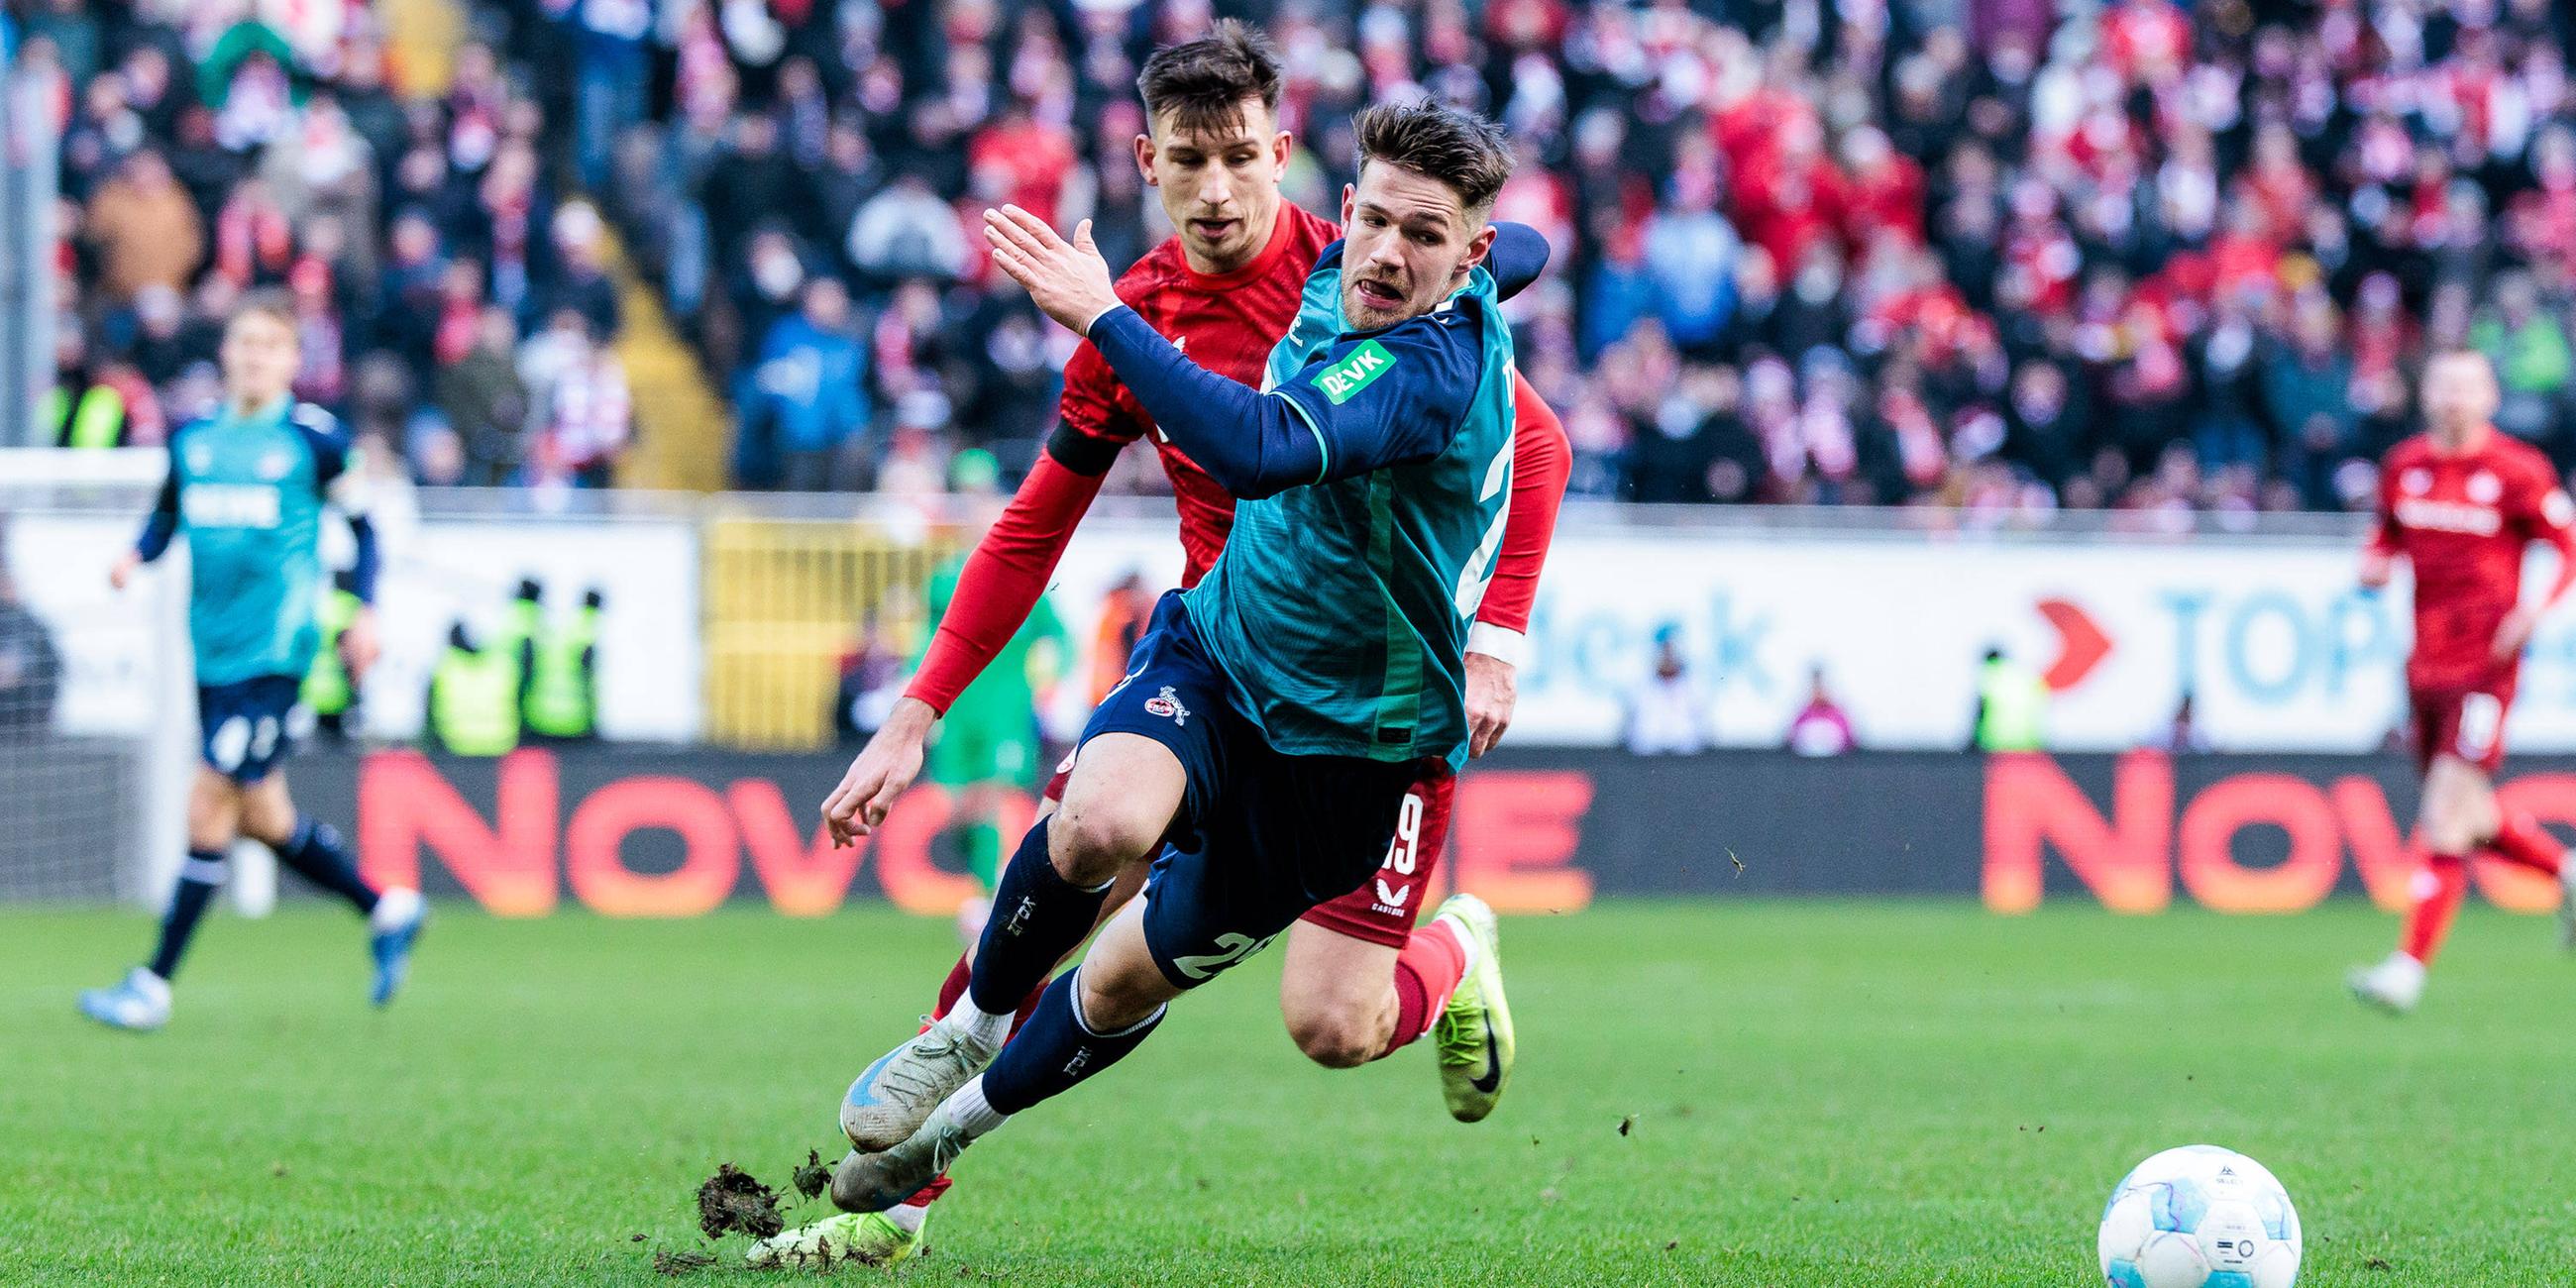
(1815, 1096)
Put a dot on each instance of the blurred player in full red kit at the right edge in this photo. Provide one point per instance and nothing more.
(2464, 504)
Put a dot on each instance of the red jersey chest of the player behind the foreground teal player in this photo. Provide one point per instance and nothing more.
(1225, 323)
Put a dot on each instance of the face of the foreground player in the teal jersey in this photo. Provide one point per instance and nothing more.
(1408, 243)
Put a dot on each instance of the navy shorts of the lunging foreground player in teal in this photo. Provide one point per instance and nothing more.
(1261, 836)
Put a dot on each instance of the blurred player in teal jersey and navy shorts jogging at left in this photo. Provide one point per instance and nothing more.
(249, 488)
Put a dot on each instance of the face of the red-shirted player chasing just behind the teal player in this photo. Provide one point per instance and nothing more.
(1217, 184)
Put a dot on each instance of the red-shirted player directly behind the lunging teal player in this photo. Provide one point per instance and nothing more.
(1361, 980)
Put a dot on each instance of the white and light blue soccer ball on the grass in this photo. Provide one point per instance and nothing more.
(2199, 1217)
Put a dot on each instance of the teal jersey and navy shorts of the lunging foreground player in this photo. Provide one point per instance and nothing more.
(1320, 666)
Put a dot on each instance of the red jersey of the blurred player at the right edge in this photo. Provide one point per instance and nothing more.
(2464, 522)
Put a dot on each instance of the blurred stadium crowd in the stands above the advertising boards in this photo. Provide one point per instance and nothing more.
(1998, 254)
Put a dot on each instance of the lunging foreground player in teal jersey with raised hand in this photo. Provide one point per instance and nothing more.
(1274, 717)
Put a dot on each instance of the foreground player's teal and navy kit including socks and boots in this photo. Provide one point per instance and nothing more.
(1300, 687)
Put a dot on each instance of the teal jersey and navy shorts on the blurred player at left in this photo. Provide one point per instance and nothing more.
(249, 491)
